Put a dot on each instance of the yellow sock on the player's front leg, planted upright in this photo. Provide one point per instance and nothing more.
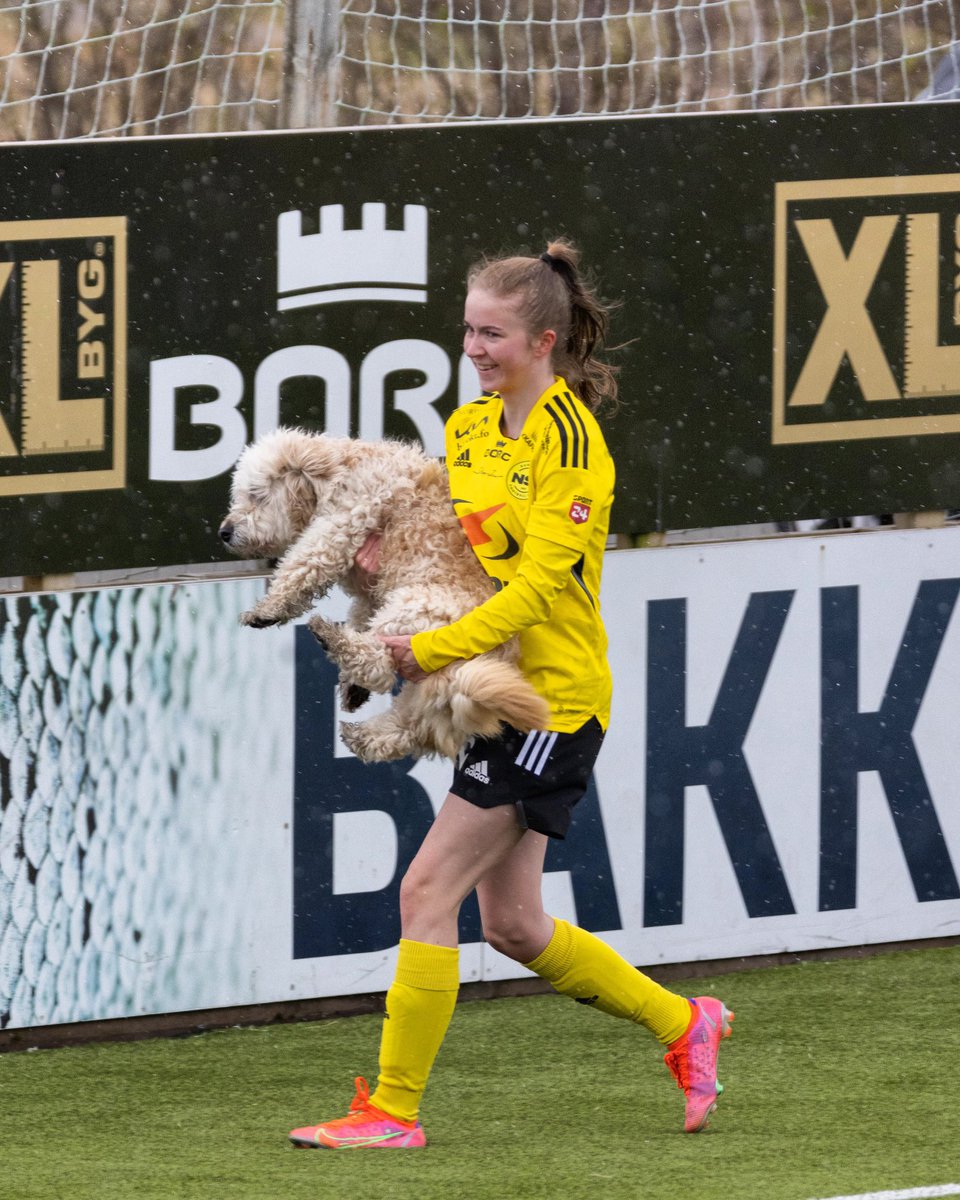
(419, 1006)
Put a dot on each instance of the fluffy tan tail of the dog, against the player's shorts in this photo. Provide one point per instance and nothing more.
(490, 692)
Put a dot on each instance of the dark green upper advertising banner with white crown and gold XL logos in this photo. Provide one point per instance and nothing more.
(789, 314)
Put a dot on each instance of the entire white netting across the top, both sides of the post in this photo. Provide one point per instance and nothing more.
(75, 69)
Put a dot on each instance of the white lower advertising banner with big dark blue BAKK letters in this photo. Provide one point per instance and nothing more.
(182, 830)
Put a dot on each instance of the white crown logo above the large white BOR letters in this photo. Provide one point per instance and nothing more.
(338, 265)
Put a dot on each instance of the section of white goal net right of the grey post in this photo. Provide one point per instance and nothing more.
(572, 58)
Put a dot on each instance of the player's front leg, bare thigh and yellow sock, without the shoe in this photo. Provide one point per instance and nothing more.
(464, 844)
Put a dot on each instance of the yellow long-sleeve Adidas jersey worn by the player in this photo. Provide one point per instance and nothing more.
(537, 513)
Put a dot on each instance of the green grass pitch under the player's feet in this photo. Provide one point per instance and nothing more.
(841, 1079)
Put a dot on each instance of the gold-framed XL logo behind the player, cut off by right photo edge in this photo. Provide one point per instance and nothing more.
(867, 309)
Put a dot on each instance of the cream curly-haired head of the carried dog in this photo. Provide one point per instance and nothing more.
(277, 488)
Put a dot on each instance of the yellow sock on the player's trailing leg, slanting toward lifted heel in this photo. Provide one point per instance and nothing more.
(580, 965)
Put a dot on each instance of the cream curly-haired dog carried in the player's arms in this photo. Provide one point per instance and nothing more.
(311, 501)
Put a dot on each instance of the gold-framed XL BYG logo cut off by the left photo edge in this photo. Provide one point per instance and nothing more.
(63, 349)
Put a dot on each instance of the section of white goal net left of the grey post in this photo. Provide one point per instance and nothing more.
(75, 69)
